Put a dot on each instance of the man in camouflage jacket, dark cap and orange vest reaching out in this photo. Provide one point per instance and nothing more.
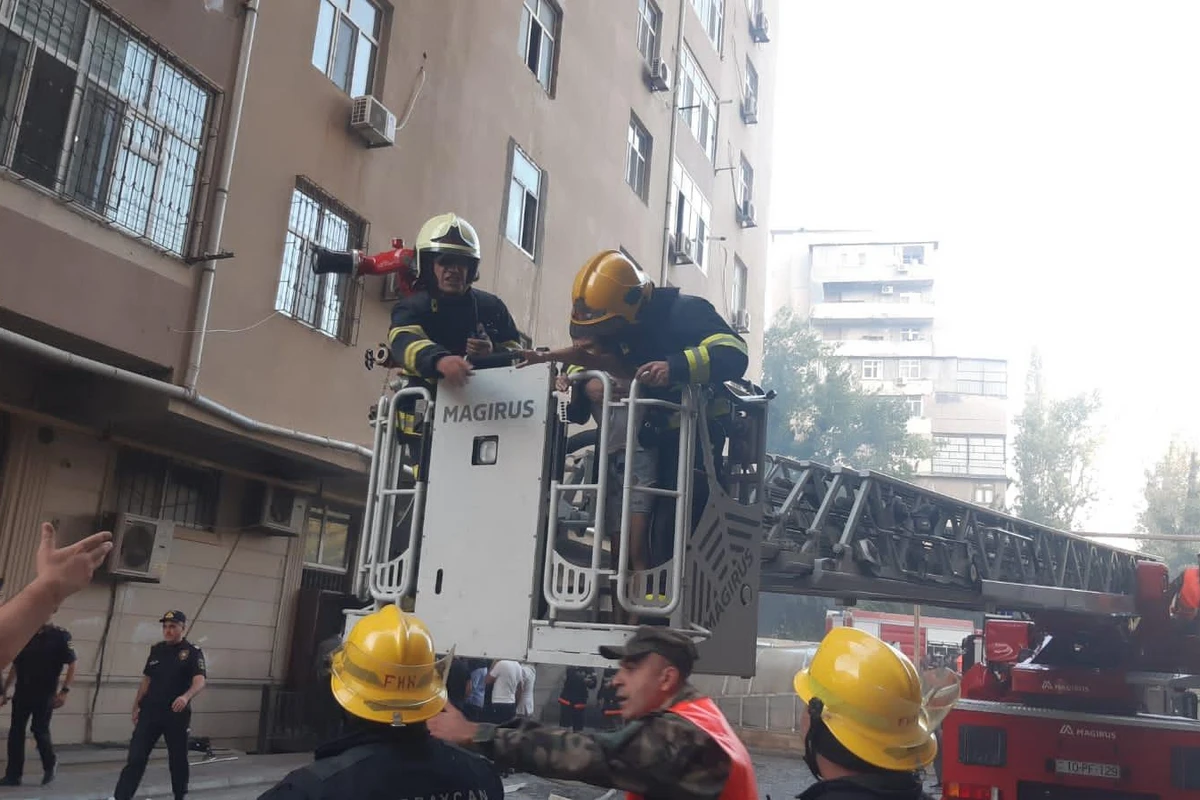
(675, 744)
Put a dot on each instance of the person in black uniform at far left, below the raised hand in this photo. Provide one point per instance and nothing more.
(37, 671)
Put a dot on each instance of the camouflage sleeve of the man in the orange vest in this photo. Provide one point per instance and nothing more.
(662, 756)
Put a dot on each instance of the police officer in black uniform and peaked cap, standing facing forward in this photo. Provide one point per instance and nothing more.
(173, 676)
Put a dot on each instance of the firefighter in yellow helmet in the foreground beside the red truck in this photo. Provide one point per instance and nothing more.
(868, 726)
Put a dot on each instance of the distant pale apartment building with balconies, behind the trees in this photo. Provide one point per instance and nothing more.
(874, 298)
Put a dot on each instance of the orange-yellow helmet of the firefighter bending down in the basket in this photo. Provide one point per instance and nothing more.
(609, 293)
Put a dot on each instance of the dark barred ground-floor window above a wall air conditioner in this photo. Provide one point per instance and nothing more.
(155, 488)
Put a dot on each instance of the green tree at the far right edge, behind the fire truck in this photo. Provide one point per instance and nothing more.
(1173, 506)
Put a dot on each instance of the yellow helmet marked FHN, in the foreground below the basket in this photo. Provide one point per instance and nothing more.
(387, 671)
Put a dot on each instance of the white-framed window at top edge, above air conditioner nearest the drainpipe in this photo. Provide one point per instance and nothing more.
(333, 21)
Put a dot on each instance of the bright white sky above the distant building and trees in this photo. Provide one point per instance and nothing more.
(1054, 148)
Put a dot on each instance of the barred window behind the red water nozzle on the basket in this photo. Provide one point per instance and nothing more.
(331, 304)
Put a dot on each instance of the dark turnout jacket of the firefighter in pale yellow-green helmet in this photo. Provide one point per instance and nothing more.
(427, 327)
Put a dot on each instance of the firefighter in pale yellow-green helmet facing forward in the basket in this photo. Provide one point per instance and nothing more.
(437, 330)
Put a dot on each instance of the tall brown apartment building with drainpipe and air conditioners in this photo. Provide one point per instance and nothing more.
(169, 364)
